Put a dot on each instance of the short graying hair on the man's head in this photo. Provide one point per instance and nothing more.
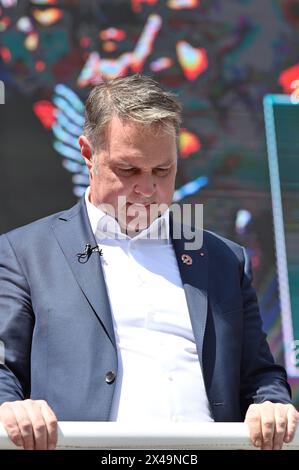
(136, 98)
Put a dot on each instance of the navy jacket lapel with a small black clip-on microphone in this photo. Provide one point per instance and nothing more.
(73, 232)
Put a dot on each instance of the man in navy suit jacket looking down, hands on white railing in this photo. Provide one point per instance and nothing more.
(105, 316)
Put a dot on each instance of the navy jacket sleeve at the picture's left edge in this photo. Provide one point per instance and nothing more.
(16, 326)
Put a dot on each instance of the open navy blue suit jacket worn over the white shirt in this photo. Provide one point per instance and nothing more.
(56, 325)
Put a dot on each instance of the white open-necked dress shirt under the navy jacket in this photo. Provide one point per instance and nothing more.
(159, 377)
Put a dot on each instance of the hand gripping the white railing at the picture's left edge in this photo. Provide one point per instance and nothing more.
(30, 423)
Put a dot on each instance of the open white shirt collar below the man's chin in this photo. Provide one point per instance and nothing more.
(105, 226)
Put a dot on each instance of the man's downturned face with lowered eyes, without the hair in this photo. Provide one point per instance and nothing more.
(137, 163)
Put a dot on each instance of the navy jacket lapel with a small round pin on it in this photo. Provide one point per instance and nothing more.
(195, 282)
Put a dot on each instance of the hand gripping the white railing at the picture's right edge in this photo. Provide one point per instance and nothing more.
(271, 424)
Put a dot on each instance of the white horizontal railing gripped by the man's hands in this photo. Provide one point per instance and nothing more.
(100, 435)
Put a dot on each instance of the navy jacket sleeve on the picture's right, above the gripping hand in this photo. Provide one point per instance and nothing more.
(261, 378)
